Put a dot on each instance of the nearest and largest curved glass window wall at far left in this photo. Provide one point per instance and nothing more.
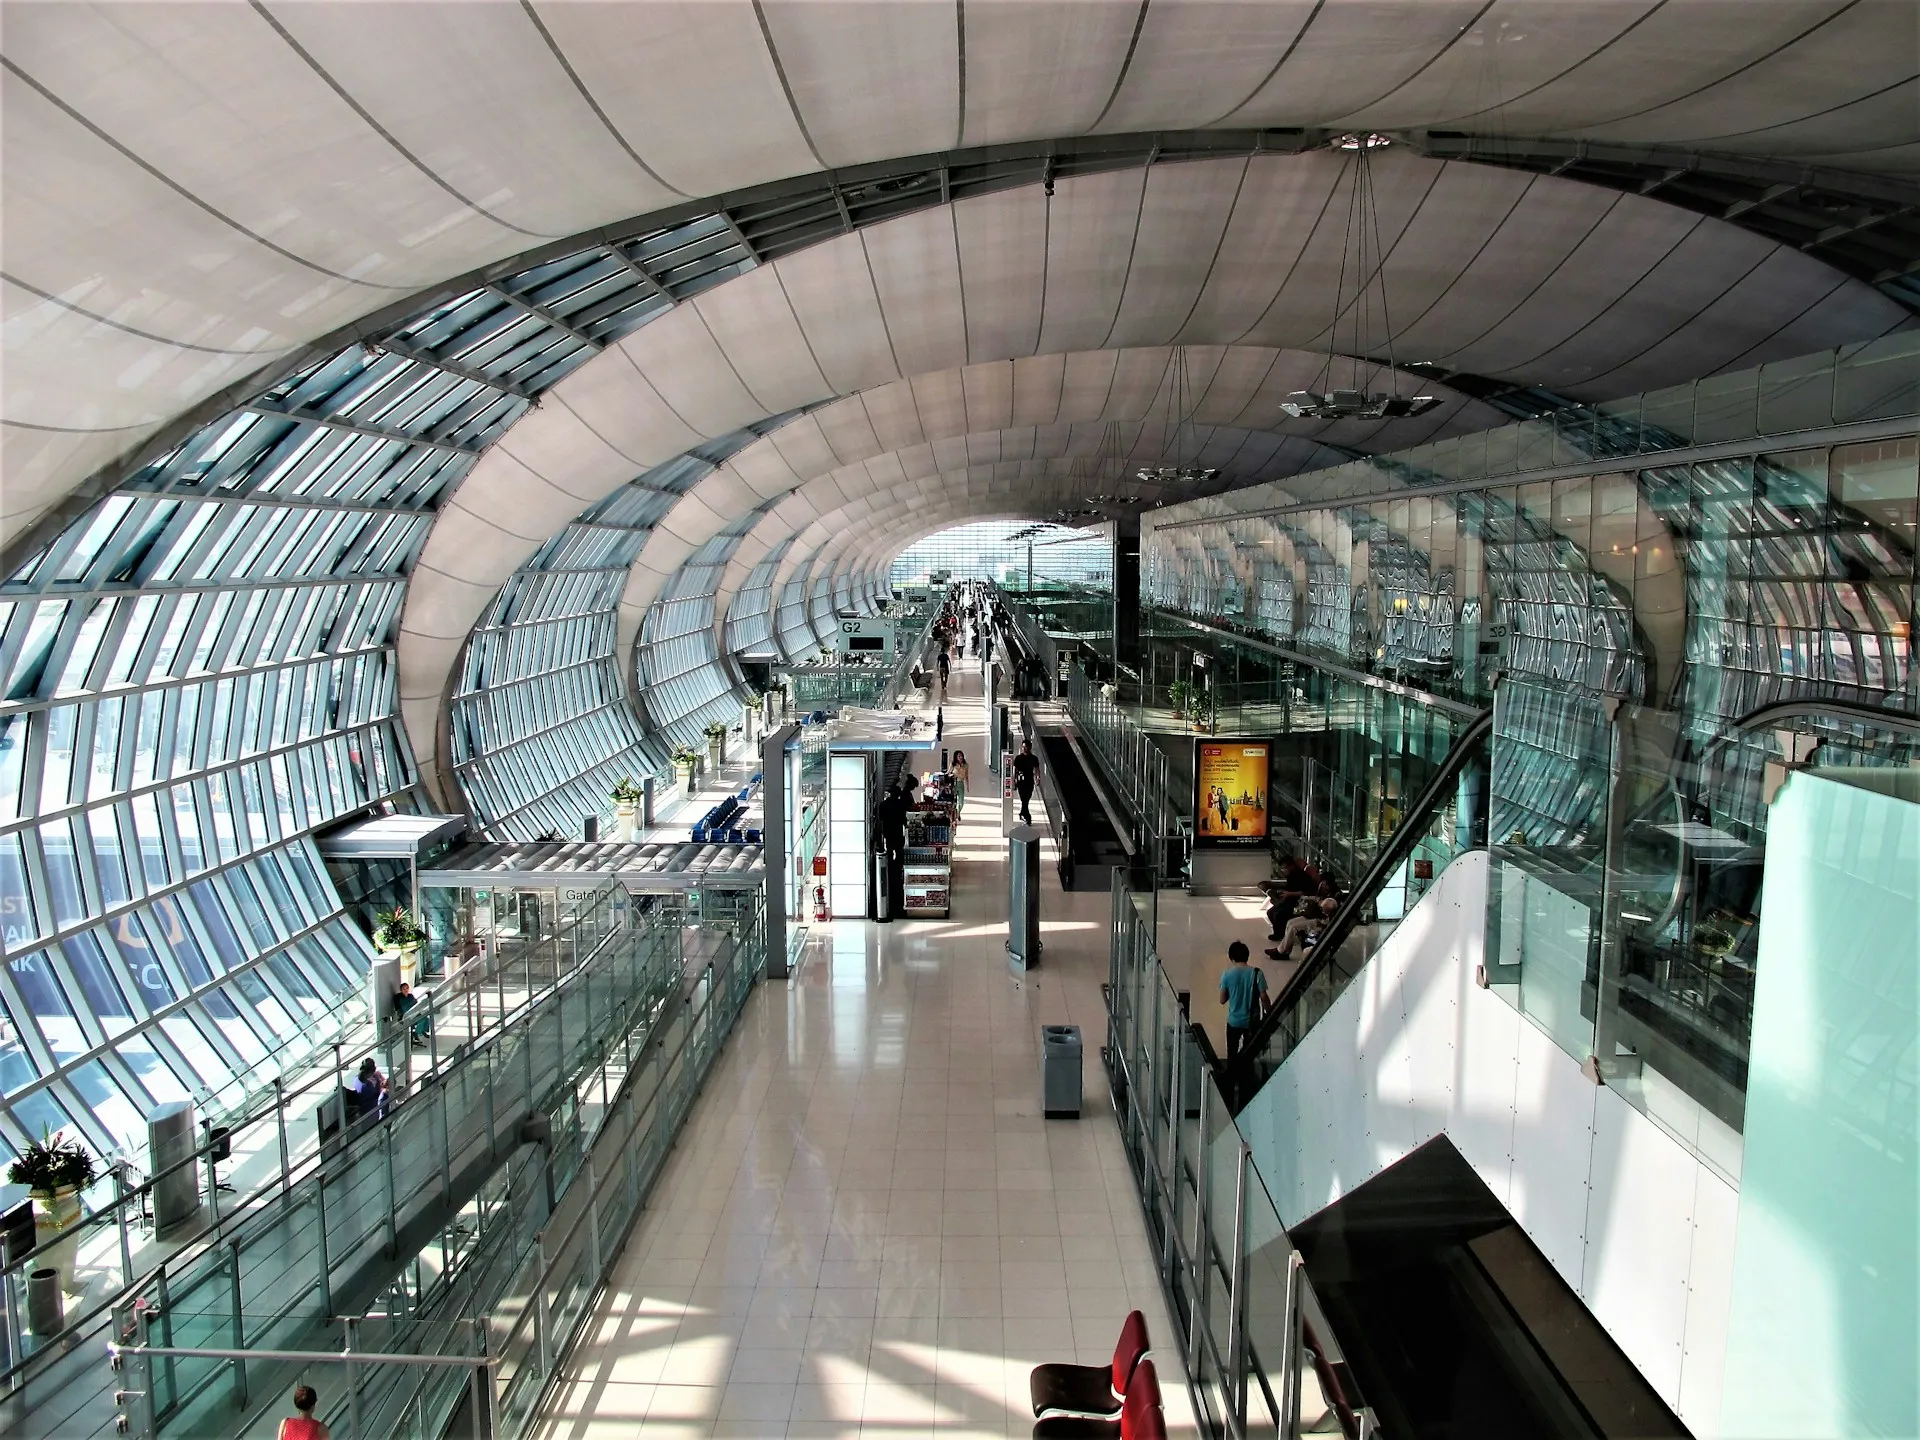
(199, 673)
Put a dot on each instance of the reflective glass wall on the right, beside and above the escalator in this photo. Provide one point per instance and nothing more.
(1669, 638)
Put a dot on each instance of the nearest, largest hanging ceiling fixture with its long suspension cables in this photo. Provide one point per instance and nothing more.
(1362, 245)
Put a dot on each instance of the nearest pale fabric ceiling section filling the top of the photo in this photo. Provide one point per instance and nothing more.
(197, 191)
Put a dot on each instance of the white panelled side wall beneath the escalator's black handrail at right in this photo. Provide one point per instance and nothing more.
(1627, 1216)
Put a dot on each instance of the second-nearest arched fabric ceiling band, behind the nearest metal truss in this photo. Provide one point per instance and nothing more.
(1527, 279)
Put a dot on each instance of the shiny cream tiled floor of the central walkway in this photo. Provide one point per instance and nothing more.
(869, 1230)
